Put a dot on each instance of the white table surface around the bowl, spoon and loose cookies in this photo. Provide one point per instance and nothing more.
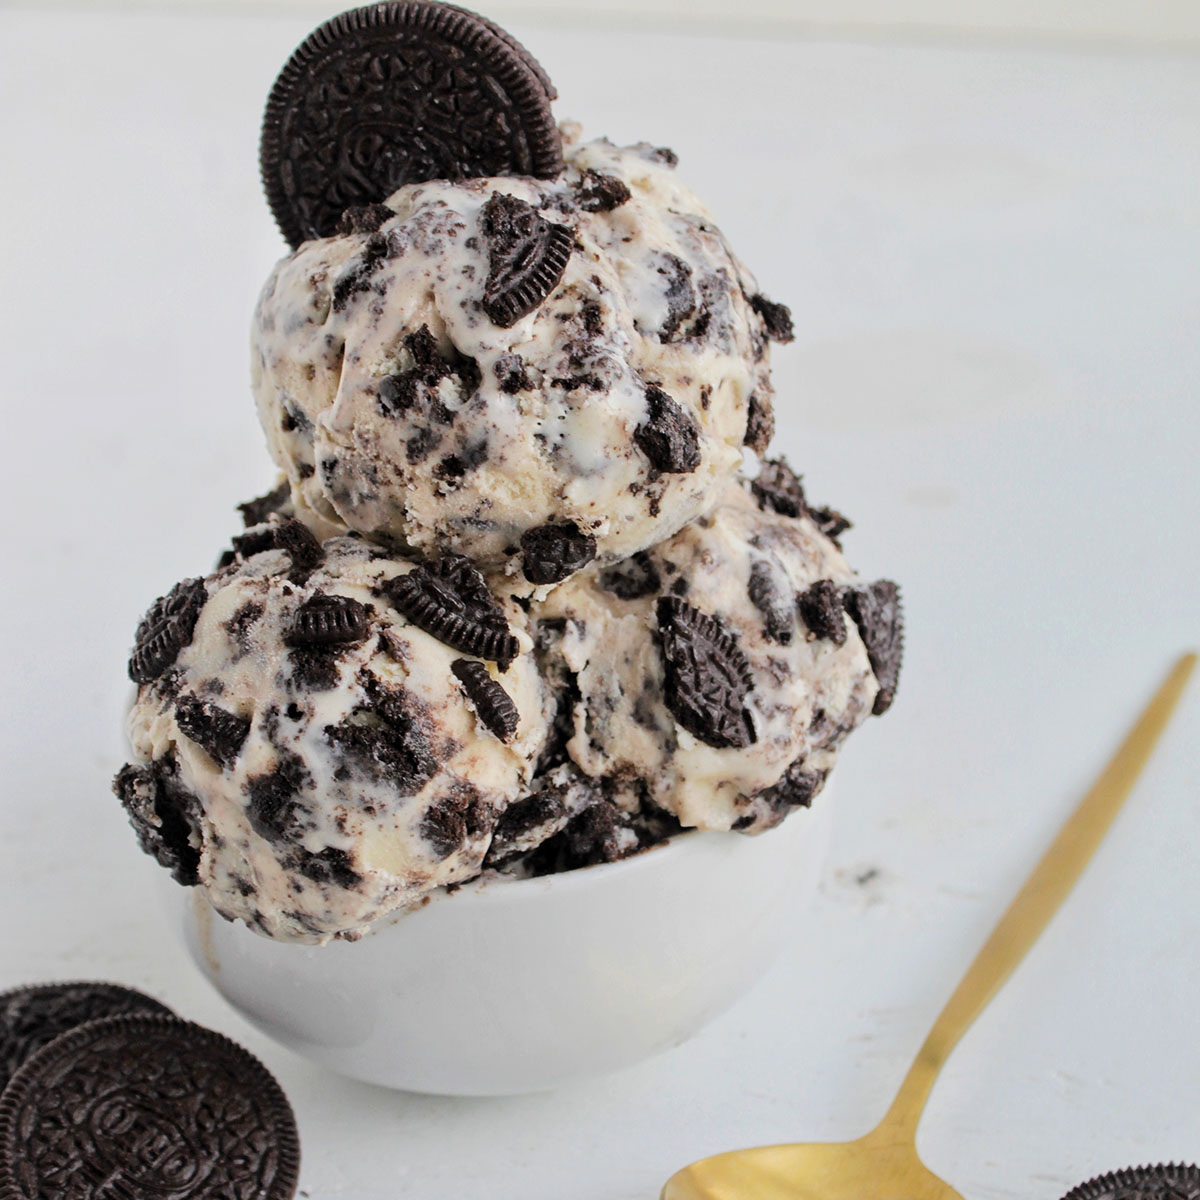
(993, 256)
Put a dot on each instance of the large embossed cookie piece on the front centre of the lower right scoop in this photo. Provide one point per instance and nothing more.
(707, 676)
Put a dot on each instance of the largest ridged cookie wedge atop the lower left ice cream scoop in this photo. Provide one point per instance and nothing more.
(452, 603)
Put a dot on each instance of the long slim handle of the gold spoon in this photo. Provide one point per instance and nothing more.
(1036, 903)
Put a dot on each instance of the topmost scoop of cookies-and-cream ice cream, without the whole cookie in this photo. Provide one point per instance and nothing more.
(477, 365)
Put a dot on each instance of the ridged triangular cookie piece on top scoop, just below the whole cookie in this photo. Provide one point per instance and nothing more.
(527, 257)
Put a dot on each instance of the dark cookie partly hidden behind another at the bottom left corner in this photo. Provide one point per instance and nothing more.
(33, 1017)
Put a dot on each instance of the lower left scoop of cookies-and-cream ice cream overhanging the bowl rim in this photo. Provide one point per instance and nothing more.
(314, 745)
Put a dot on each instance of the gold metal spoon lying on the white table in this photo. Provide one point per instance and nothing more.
(884, 1165)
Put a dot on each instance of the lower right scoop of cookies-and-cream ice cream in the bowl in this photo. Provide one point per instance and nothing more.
(715, 675)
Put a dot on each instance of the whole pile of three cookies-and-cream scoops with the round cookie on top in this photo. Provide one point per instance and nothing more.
(512, 608)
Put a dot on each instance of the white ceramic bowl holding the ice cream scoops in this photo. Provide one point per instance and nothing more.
(521, 986)
